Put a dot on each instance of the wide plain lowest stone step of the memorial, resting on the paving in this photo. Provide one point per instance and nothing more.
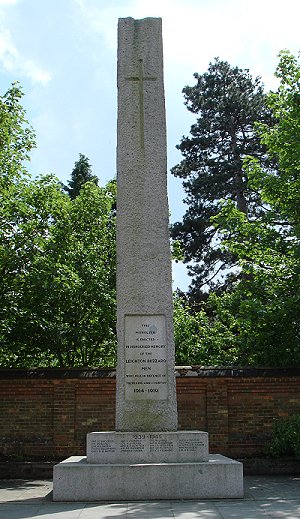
(76, 480)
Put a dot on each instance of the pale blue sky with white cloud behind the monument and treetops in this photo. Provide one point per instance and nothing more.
(63, 52)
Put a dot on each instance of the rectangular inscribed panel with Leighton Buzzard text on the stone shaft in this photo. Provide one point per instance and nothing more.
(145, 357)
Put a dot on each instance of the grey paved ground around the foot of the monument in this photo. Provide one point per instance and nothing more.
(268, 497)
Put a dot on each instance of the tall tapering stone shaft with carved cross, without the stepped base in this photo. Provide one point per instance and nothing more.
(146, 398)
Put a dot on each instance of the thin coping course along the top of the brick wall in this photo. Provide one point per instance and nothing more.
(181, 371)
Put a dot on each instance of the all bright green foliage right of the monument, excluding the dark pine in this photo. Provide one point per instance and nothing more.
(257, 321)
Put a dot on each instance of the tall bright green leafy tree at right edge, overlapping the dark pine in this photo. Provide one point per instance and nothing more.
(266, 301)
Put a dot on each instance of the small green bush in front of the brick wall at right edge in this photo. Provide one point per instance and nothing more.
(286, 437)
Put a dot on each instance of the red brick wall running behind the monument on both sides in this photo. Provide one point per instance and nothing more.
(49, 412)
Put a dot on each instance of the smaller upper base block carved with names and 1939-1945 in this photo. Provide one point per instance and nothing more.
(147, 447)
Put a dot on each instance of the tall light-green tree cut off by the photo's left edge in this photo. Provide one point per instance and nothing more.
(16, 140)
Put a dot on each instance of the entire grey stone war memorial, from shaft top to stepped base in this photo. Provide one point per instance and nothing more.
(146, 457)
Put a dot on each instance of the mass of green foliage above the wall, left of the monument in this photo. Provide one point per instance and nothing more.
(60, 291)
